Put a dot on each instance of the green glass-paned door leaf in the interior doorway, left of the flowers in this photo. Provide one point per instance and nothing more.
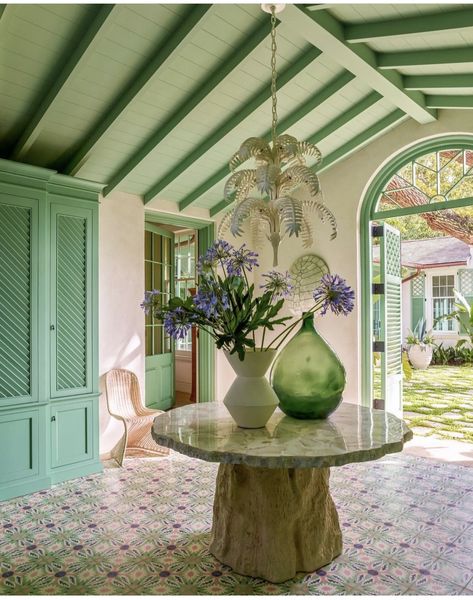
(159, 361)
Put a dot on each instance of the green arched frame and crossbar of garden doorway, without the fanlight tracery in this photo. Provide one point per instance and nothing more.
(368, 214)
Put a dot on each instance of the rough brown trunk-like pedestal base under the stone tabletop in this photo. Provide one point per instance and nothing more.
(272, 523)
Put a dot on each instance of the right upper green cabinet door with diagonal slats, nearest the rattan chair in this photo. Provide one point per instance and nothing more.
(71, 301)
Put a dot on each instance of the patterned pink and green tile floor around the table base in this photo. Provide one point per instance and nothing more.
(407, 523)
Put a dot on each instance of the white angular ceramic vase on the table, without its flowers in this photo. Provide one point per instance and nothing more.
(250, 399)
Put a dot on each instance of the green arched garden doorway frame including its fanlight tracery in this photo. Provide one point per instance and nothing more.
(373, 211)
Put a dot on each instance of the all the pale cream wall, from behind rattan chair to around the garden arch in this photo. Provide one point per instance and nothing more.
(121, 256)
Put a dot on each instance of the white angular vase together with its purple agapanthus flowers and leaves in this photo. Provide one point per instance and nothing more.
(229, 309)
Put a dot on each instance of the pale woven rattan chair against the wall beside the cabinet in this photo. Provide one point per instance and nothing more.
(124, 403)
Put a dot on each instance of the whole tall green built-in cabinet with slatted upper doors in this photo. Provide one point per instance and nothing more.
(48, 328)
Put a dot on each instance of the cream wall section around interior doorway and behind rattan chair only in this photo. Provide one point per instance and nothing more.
(121, 285)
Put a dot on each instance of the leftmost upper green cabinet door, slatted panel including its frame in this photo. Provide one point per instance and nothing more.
(18, 300)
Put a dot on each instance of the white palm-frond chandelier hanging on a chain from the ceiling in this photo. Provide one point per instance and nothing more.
(281, 193)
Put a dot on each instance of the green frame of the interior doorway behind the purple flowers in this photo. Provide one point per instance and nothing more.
(206, 346)
